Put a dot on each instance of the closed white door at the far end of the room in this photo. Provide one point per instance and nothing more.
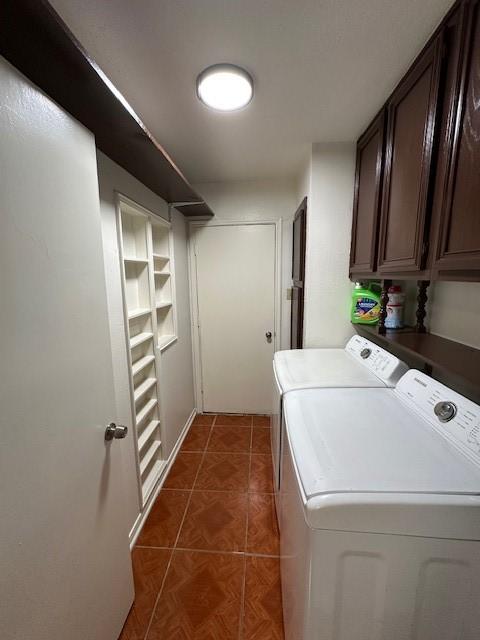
(235, 271)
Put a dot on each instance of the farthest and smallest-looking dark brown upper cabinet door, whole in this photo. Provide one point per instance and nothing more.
(367, 198)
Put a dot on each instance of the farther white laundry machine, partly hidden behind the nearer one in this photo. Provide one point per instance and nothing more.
(360, 363)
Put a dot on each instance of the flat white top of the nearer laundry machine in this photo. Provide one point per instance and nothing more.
(370, 441)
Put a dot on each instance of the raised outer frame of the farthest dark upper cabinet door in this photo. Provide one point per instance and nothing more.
(377, 125)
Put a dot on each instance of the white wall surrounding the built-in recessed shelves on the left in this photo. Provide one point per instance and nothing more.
(176, 361)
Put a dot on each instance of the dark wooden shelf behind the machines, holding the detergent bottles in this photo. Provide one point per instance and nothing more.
(452, 363)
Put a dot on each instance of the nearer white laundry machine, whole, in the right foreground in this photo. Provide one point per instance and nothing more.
(380, 513)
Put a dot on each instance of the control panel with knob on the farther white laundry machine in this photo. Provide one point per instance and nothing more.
(385, 365)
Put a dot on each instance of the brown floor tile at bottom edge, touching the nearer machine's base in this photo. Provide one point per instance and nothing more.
(263, 600)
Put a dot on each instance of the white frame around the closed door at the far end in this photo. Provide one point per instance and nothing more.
(193, 290)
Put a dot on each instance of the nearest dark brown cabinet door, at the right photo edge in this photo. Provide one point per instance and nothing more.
(457, 194)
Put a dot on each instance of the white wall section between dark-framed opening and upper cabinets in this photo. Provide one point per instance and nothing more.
(328, 184)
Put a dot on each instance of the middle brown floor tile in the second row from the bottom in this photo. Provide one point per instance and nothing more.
(215, 521)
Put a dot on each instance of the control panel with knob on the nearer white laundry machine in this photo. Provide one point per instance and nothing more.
(452, 415)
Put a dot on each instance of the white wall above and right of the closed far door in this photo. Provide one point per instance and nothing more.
(260, 200)
